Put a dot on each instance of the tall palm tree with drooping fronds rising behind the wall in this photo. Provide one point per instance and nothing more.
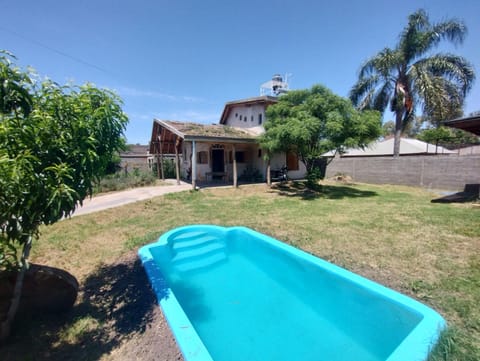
(408, 76)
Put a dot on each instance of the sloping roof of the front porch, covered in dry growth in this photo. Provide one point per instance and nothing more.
(170, 130)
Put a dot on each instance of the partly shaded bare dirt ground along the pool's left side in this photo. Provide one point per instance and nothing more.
(118, 320)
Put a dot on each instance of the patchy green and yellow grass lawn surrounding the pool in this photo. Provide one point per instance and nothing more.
(390, 234)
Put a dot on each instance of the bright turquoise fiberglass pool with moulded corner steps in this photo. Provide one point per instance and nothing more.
(235, 294)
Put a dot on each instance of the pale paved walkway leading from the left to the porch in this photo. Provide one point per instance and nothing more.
(115, 199)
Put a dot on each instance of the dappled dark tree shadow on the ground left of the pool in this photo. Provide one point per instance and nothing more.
(115, 304)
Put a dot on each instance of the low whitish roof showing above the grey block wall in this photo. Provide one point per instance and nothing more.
(384, 148)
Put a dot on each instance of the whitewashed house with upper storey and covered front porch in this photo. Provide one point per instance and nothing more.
(226, 151)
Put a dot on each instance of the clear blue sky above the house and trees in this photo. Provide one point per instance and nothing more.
(183, 59)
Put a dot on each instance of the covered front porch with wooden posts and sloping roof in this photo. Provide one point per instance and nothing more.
(207, 154)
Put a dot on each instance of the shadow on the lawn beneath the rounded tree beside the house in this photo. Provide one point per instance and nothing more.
(310, 192)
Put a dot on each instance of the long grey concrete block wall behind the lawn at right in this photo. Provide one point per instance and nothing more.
(436, 172)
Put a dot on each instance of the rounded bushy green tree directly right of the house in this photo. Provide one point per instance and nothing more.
(314, 121)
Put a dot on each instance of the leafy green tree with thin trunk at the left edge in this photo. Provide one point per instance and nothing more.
(51, 154)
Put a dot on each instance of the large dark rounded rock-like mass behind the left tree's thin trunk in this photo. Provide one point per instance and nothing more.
(45, 289)
